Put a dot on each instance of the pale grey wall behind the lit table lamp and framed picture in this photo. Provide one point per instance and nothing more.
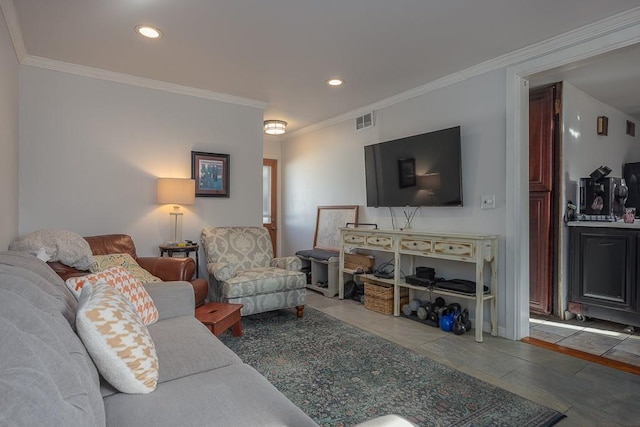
(91, 150)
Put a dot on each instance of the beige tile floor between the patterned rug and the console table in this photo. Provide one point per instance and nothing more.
(589, 394)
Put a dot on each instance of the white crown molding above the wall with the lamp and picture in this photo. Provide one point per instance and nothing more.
(97, 73)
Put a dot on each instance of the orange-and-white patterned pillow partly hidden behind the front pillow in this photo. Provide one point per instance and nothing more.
(120, 279)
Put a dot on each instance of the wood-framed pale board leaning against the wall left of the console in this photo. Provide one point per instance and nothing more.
(328, 223)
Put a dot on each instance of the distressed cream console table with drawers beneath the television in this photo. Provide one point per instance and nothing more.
(470, 248)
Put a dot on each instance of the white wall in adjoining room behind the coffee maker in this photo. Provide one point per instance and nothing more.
(583, 151)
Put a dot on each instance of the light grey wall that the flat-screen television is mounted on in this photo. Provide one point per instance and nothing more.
(326, 167)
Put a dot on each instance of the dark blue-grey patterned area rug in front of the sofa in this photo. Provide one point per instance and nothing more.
(341, 375)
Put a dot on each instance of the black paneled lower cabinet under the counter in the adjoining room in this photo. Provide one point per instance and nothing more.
(604, 273)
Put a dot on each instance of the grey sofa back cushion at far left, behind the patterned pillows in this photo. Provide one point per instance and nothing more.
(48, 378)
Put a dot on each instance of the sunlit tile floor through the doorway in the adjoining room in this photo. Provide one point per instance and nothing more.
(602, 338)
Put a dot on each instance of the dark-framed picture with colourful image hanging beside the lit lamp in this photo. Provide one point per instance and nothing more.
(211, 172)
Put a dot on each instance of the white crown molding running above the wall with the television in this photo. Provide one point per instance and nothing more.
(605, 27)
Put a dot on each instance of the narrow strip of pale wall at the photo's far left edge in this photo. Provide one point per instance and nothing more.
(8, 138)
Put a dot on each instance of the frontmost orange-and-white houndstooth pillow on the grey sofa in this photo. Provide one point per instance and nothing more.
(117, 340)
